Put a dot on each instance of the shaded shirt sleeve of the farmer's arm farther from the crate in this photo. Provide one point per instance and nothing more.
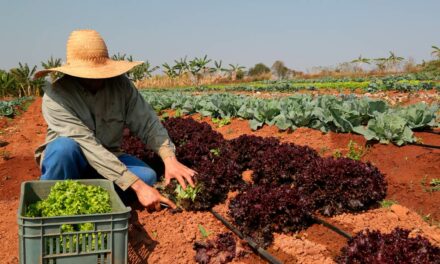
(142, 120)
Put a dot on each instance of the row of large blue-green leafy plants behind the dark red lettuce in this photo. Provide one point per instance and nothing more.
(374, 119)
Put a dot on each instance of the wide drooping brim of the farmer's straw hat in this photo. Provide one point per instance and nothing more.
(109, 69)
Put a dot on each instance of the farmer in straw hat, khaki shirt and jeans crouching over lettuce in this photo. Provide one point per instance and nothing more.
(86, 111)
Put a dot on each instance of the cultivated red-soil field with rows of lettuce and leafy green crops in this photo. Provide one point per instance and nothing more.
(272, 157)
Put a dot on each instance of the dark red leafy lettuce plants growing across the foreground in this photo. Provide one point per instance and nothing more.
(290, 185)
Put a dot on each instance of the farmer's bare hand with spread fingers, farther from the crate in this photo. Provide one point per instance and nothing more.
(176, 170)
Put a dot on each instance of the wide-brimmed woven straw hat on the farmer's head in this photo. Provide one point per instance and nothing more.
(87, 57)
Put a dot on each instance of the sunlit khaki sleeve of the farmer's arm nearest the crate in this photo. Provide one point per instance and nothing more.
(65, 124)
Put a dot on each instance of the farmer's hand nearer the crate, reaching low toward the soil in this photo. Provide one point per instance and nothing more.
(150, 197)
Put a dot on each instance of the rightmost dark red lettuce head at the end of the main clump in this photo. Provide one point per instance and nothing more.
(341, 185)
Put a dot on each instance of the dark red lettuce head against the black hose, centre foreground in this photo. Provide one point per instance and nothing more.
(259, 210)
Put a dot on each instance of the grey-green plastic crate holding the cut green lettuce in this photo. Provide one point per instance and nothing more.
(41, 239)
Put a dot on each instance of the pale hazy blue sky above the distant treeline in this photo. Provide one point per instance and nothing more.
(301, 33)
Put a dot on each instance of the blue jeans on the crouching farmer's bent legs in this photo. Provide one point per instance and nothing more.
(63, 159)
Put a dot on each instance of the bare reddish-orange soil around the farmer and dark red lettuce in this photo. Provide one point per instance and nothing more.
(162, 237)
